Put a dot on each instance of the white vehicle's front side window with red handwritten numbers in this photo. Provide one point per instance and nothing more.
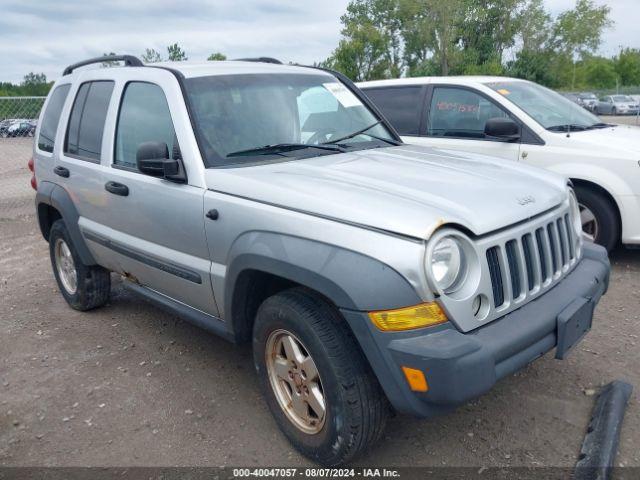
(460, 113)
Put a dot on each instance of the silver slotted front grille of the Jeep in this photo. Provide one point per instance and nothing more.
(522, 266)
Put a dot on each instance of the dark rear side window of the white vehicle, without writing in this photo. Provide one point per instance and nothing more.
(402, 106)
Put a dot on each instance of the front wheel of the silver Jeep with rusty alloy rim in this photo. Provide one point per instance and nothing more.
(317, 383)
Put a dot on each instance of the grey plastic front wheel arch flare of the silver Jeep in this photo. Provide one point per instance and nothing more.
(263, 263)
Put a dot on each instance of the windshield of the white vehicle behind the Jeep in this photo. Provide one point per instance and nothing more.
(548, 108)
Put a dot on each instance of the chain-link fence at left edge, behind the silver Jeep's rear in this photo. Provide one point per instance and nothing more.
(18, 120)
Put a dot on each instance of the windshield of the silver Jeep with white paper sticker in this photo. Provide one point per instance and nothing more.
(262, 117)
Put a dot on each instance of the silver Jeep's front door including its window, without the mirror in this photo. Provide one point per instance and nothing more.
(154, 228)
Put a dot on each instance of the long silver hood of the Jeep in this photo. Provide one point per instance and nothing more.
(408, 190)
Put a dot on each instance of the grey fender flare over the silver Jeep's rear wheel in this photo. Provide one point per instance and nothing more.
(50, 194)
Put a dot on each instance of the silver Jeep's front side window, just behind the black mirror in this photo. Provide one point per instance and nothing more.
(144, 117)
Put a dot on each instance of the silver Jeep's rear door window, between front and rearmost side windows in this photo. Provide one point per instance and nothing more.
(86, 123)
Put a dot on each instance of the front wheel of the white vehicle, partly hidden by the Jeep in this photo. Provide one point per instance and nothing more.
(599, 217)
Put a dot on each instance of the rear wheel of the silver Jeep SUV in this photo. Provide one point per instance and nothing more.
(83, 287)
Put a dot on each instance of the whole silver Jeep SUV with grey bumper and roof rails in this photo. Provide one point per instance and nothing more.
(273, 204)
